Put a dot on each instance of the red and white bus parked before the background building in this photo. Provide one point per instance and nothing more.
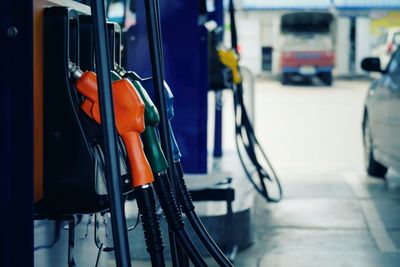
(307, 47)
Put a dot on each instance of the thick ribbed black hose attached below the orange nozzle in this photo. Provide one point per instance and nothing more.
(151, 225)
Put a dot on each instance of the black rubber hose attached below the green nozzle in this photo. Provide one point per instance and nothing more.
(174, 218)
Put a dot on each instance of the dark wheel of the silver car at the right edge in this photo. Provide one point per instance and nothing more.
(373, 167)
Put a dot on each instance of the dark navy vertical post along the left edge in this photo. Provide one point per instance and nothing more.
(16, 134)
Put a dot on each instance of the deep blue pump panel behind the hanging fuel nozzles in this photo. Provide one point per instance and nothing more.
(185, 64)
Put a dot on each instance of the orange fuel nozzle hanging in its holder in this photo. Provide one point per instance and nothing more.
(129, 119)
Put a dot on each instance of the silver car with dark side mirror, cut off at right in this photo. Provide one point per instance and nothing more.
(381, 124)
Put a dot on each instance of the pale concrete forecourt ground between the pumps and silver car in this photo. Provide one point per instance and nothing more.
(332, 214)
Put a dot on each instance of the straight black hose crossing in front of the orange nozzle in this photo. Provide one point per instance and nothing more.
(112, 172)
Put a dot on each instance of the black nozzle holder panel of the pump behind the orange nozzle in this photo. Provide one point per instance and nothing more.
(75, 178)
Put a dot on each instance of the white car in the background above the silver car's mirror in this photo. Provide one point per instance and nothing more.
(387, 43)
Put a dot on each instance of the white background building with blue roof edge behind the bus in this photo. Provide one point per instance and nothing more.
(356, 29)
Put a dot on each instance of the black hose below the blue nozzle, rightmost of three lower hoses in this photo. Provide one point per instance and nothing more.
(188, 209)
